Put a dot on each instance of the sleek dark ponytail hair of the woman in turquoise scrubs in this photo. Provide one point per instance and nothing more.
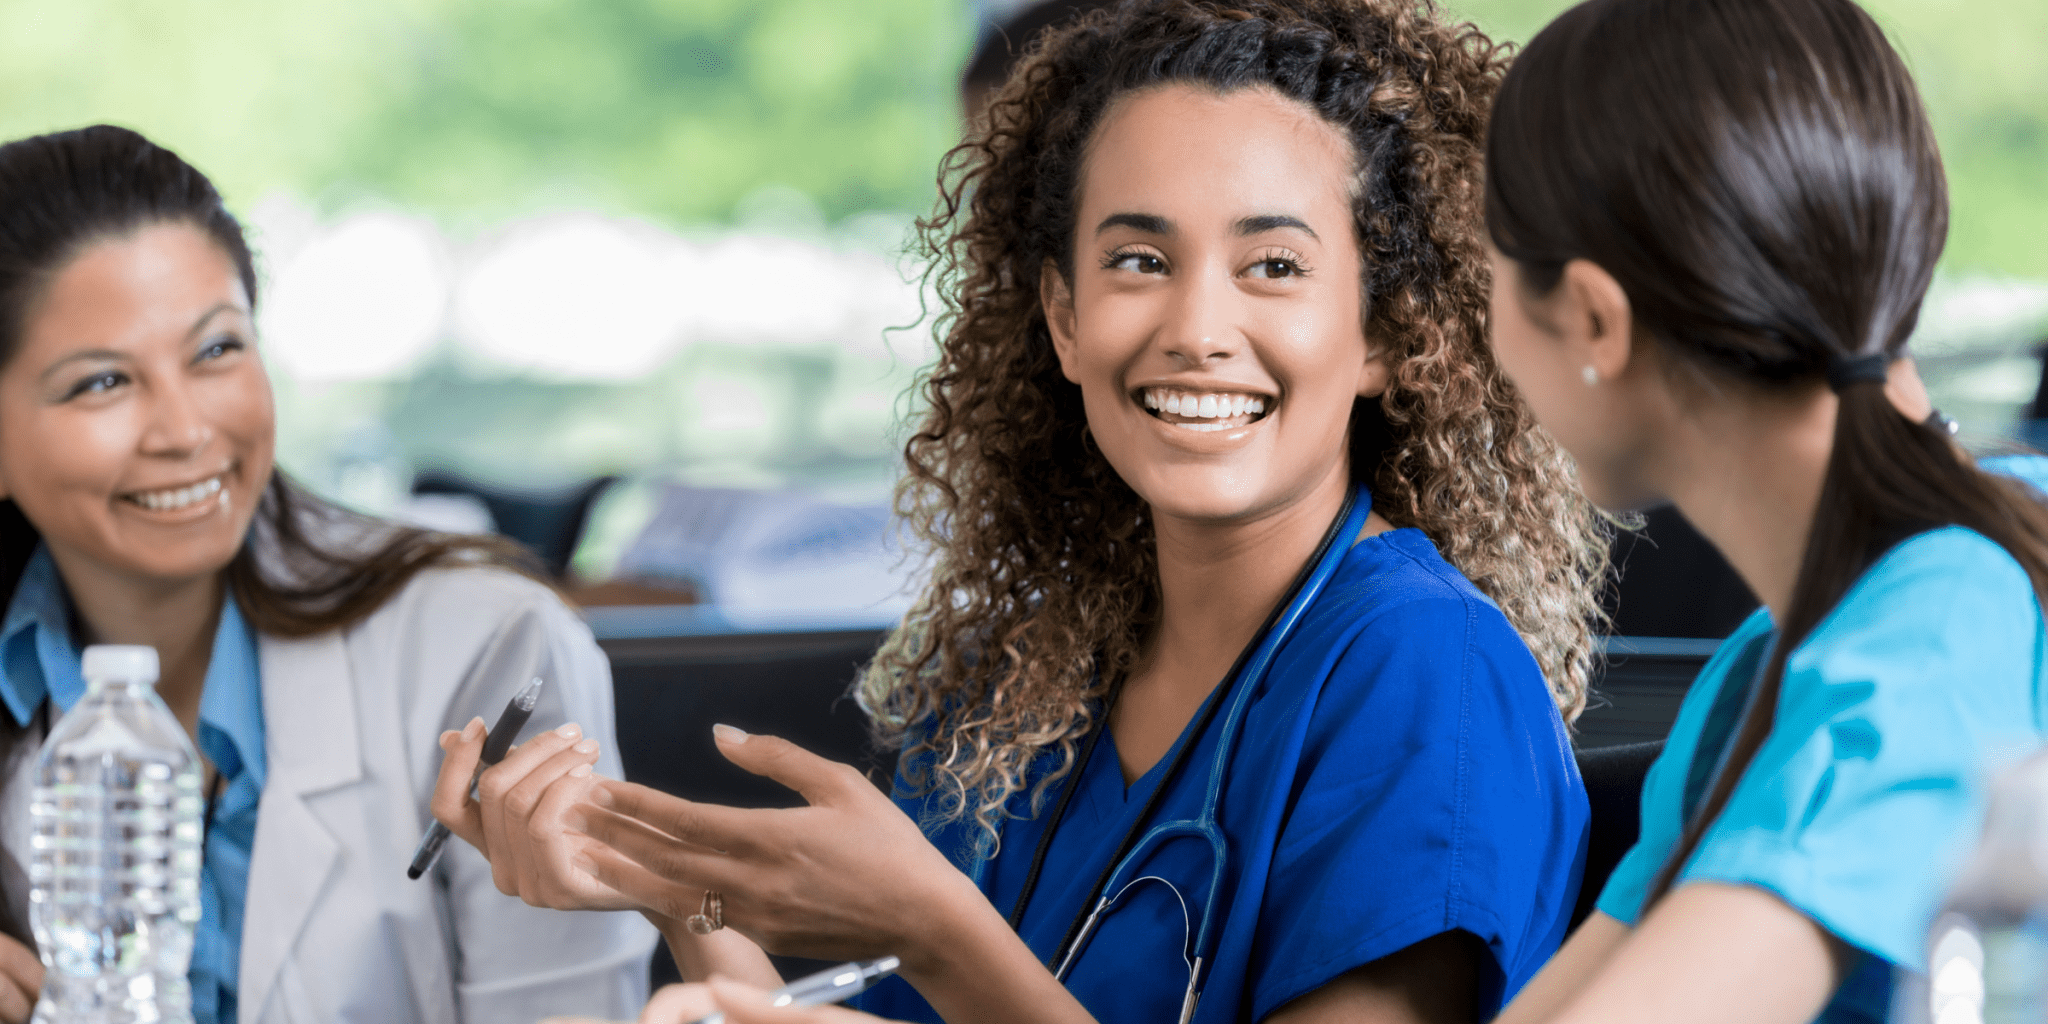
(1762, 181)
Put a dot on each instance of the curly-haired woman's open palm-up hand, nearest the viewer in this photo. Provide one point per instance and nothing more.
(843, 880)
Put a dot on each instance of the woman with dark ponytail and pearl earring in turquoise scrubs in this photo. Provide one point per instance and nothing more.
(1715, 224)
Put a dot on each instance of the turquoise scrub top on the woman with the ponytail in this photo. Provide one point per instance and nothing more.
(1871, 790)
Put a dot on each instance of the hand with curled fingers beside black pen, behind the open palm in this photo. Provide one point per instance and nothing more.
(517, 820)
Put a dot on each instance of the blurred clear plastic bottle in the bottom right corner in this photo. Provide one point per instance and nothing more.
(1988, 957)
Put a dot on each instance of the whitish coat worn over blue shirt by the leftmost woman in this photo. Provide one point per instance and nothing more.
(335, 931)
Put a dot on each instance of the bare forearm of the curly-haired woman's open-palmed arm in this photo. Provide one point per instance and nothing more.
(974, 970)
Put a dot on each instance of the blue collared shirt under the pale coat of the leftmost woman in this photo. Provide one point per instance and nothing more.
(40, 660)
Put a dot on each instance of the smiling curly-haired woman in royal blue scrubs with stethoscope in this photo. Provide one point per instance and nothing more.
(1215, 290)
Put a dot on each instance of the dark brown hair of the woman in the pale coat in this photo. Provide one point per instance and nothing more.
(308, 566)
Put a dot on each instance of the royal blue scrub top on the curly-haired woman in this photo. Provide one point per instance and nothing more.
(1402, 773)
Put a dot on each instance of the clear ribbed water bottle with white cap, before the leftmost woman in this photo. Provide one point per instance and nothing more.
(116, 857)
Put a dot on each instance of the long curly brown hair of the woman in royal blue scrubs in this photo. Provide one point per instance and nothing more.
(1046, 577)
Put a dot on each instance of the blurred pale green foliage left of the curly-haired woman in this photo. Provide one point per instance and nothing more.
(478, 110)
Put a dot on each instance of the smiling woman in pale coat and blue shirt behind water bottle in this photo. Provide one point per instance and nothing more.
(310, 654)
